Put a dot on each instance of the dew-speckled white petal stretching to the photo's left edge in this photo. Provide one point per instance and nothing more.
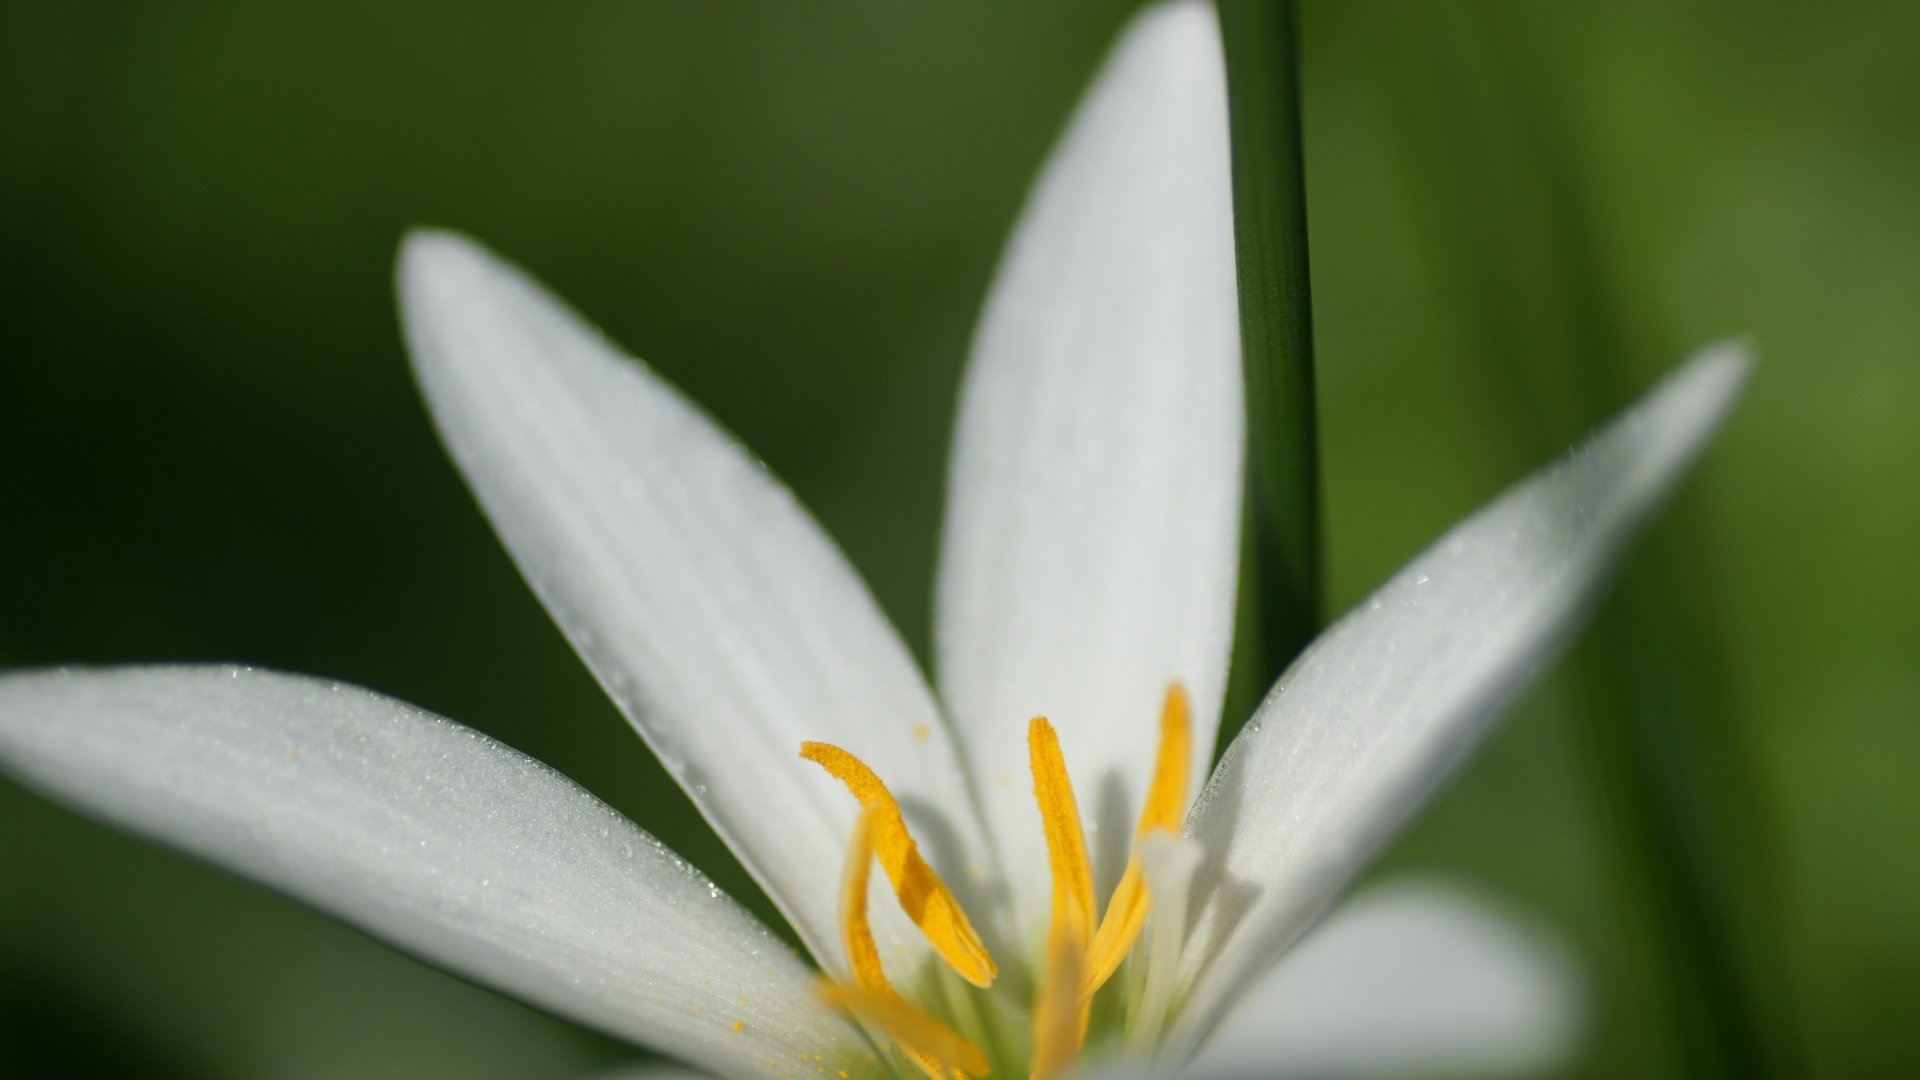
(431, 837)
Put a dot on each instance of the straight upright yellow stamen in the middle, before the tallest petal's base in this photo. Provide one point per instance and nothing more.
(1061, 1014)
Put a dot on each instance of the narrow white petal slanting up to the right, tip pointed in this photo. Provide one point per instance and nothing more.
(1385, 704)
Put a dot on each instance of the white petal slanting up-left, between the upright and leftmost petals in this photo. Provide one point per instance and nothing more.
(708, 602)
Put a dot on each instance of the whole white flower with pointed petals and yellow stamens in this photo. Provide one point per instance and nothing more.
(1088, 577)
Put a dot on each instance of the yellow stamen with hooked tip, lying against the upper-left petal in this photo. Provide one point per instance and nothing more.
(924, 896)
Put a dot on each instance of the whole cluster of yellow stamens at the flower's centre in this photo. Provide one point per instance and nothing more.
(1082, 952)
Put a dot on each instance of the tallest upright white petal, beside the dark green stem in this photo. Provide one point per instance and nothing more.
(1095, 491)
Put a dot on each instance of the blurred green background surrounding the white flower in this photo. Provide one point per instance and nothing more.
(210, 447)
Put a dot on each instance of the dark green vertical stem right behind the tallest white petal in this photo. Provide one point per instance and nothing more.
(1282, 566)
